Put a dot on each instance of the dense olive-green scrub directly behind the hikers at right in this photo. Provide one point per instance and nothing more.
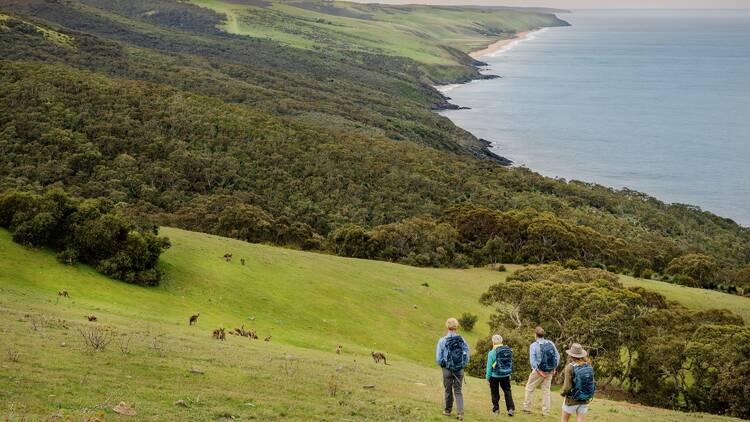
(660, 352)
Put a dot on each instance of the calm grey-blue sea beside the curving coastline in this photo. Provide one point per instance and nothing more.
(657, 101)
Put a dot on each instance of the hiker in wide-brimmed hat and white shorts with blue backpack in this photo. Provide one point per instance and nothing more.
(579, 387)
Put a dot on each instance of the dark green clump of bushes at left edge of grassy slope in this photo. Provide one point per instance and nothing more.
(89, 231)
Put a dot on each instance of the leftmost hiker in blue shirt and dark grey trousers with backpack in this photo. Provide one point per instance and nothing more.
(452, 354)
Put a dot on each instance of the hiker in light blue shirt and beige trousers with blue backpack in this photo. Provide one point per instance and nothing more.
(544, 358)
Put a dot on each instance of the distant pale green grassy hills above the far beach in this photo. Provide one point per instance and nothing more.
(417, 32)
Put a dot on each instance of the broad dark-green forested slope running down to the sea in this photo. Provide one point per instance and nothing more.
(183, 124)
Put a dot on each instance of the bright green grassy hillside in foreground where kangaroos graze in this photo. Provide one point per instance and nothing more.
(308, 302)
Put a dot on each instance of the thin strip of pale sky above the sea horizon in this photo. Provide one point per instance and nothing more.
(592, 4)
